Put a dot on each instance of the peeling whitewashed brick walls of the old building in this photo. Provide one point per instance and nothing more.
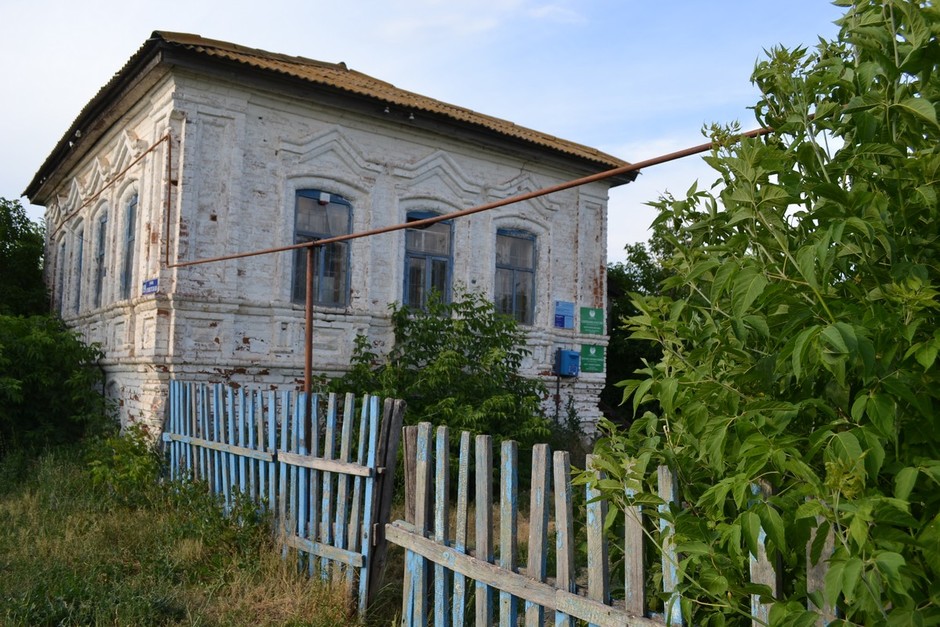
(239, 154)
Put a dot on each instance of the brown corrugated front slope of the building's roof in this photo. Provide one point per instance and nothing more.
(338, 76)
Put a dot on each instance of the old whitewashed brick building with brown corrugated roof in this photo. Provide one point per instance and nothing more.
(200, 148)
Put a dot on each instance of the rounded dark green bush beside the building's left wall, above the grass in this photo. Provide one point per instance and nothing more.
(49, 384)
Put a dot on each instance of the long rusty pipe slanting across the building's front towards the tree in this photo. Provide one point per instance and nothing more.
(626, 169)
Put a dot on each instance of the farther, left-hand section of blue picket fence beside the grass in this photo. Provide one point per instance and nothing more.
(328, 480)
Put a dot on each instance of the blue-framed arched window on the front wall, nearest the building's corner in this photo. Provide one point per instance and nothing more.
(320, 215)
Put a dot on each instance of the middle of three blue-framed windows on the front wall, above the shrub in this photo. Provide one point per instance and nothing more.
(428, 260)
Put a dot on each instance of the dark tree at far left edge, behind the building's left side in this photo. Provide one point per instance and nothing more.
(21, 246)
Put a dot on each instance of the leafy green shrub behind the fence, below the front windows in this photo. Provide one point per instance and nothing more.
(455, 364)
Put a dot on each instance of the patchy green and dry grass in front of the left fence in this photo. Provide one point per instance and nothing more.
(76, 551)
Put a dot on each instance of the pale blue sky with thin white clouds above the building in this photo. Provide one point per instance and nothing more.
(634, 78)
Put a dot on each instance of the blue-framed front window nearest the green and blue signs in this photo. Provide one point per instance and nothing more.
(515, 274)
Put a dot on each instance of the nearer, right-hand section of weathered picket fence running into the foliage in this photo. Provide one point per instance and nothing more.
(444, 570)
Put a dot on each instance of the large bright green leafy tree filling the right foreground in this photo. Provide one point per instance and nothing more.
(799, 335)
